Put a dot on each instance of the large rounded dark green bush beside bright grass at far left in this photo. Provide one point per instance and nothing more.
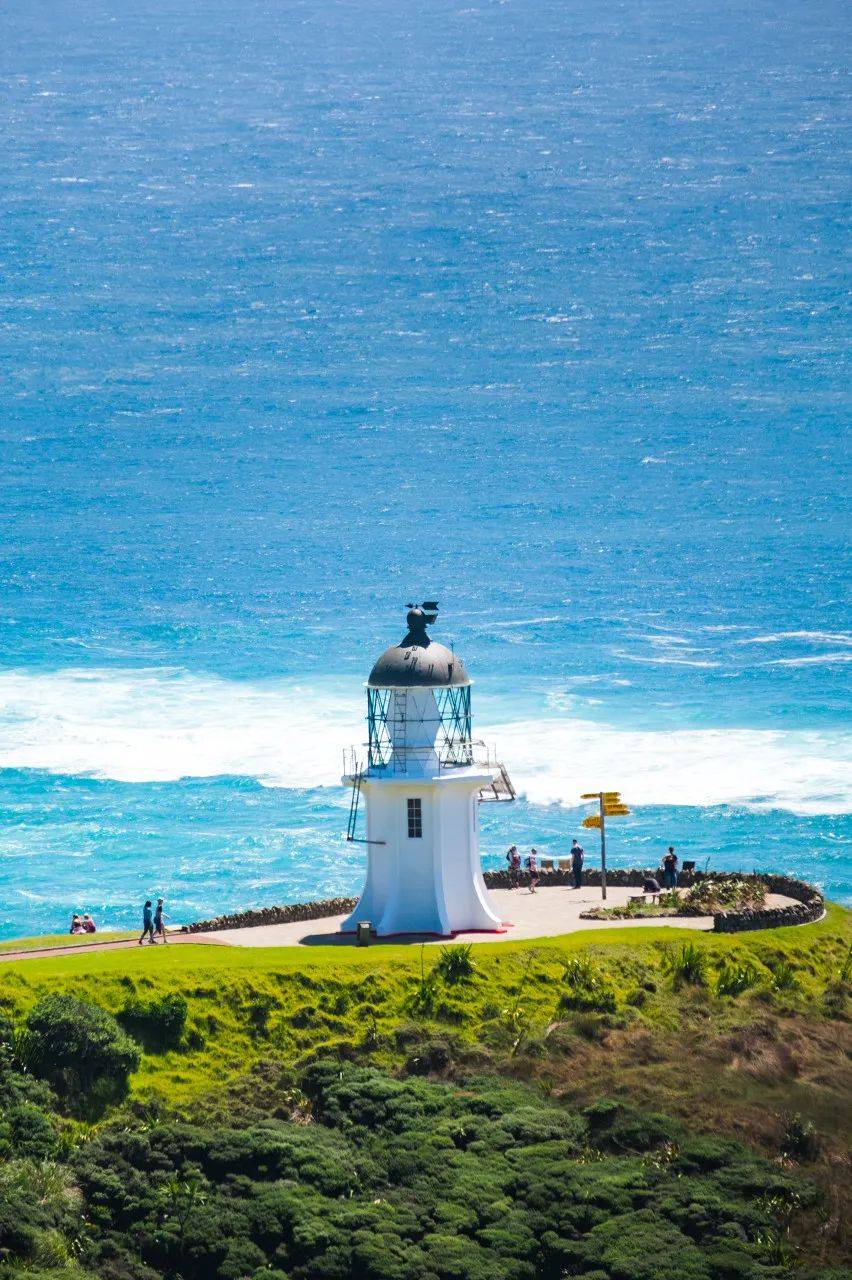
(80, 1050)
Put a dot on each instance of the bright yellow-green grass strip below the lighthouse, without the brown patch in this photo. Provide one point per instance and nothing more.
(246, 1004)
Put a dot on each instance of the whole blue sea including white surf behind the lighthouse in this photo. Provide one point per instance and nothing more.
(538, 308)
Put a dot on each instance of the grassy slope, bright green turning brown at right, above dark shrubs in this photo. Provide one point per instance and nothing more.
(735, 1037)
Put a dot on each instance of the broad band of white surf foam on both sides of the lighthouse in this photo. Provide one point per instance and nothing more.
(162, 725)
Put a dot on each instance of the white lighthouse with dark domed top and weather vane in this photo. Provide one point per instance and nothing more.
(422, 780)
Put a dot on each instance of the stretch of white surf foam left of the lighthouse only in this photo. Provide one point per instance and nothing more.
(155, 725)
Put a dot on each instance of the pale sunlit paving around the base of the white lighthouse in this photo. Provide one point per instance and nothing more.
(544, 915)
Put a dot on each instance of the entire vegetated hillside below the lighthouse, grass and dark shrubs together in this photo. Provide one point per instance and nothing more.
(613, 1108)
